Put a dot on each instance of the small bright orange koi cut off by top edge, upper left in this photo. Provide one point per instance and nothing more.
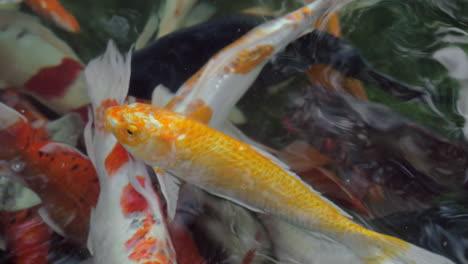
(52, 10)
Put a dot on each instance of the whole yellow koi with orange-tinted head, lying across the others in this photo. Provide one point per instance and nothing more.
(239, 172)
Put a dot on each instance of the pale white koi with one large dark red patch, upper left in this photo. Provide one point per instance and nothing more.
(45, 67)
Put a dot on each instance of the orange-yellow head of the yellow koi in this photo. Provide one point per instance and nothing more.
(144, 130)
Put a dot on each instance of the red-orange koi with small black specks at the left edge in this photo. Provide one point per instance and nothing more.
(63, 178)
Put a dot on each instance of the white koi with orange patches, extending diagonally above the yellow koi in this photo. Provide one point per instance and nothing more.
(229, 73)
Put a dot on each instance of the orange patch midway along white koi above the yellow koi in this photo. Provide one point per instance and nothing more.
(248, 60)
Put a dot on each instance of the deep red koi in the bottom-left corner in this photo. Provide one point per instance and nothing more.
(28, 236)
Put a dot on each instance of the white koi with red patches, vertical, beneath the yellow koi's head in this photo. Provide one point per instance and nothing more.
(127, 225)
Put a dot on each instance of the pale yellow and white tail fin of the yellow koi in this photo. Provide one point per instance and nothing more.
(378, 249)
